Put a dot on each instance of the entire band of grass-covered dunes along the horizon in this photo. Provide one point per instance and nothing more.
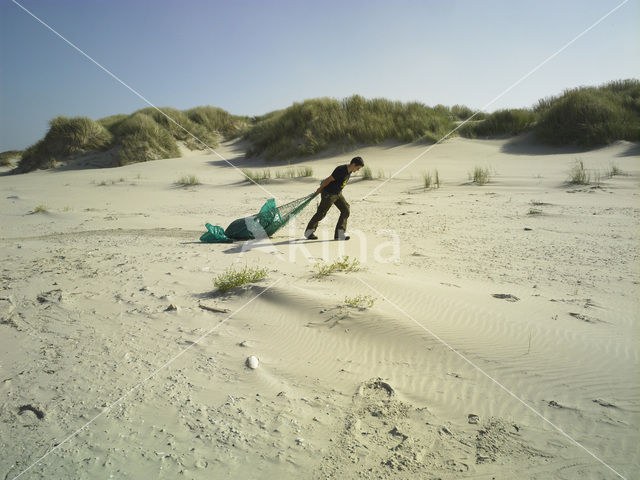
(585, 117)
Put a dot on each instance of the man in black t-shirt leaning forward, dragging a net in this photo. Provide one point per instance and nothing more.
(331, 194)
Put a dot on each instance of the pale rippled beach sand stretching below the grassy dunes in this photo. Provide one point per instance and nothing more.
(502, 341)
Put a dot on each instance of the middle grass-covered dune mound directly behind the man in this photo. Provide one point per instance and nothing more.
(314, 125)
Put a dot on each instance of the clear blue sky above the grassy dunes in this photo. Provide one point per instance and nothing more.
(251, 57)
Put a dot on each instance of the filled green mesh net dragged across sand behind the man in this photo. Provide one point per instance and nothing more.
(265, 223)
